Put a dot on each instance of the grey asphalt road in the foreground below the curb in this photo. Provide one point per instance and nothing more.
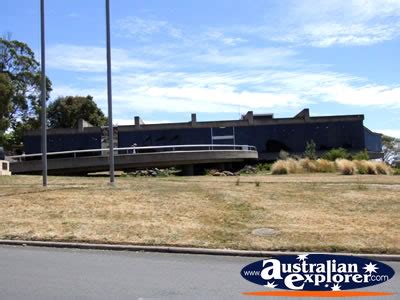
(45, 273)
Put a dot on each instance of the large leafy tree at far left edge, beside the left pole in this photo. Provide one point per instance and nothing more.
(19, 91)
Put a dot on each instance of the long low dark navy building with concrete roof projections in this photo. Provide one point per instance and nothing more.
(268, 134)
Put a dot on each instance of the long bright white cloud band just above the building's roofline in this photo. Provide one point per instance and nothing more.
(229, 92)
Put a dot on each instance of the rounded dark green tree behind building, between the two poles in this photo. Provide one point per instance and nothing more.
(65, 112)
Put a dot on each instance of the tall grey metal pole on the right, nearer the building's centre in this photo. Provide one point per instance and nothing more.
(109, 95)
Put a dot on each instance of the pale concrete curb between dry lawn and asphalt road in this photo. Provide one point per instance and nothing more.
(183, 250)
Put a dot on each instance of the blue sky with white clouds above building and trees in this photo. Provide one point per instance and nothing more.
(222, 58)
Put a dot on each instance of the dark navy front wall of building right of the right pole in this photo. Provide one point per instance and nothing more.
(267, 138)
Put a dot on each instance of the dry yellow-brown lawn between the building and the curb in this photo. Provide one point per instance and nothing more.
(311, 212)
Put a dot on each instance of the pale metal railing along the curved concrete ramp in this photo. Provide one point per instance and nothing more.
(138, 150)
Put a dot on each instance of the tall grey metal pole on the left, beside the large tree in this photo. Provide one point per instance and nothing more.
(43, 94)
